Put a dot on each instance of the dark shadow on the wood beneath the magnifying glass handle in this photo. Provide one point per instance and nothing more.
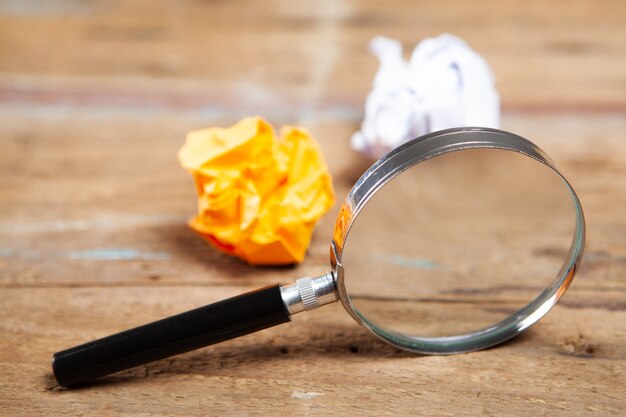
(240, 355)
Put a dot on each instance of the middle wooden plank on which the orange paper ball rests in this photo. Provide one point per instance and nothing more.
(76, 187)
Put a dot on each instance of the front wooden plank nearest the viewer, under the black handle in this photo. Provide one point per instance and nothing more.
(320, 363)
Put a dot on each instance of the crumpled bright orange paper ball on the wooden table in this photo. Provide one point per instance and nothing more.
(258, 197)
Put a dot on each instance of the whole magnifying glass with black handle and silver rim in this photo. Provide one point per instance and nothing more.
(453, 242)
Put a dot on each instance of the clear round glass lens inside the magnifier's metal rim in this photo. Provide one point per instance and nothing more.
(458, 243)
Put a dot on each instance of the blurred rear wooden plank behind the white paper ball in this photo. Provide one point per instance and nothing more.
(236, 56)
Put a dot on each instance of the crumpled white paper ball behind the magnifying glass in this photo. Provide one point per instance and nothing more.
(445, 84)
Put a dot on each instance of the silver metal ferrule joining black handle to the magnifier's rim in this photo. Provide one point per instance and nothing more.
(309, 293)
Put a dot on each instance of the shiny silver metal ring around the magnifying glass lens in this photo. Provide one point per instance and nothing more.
(420, 150)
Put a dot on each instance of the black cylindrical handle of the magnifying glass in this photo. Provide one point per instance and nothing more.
(227, 319)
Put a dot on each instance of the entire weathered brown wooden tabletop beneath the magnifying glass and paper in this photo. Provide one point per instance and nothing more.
(95, 100)
